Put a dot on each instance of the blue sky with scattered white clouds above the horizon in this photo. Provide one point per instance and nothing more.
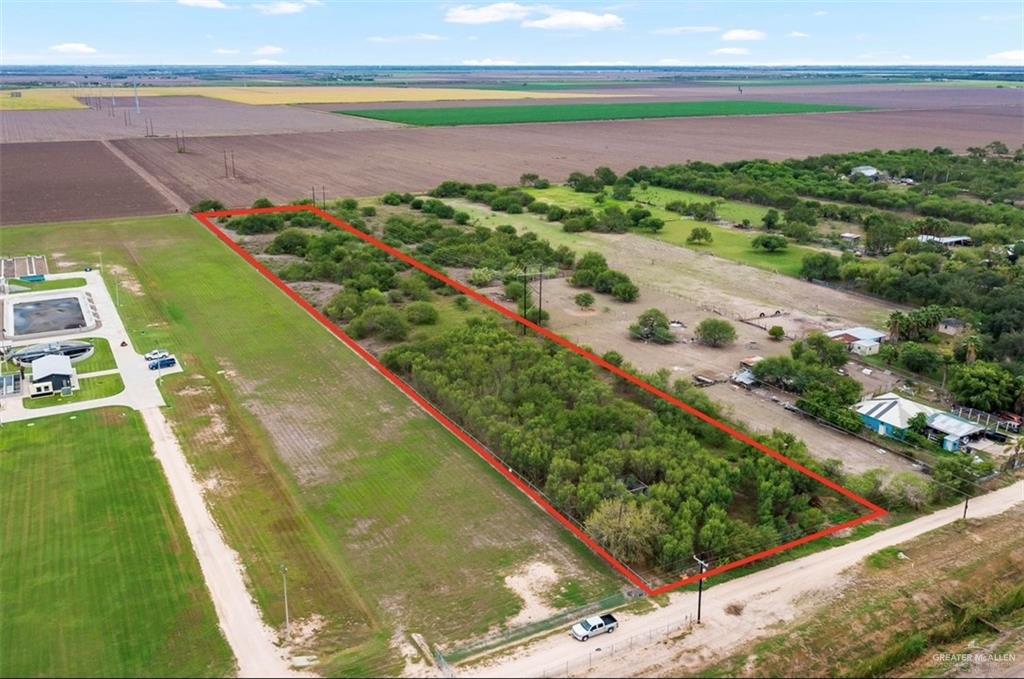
(334, 32)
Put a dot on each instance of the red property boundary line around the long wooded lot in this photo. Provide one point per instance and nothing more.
(875, 513)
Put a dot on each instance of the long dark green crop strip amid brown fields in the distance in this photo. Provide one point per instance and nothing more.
(567, 113)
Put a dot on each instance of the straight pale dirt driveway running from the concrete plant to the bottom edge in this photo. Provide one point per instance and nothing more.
(251, 641)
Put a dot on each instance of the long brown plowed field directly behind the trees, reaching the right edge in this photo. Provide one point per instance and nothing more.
(365, 163)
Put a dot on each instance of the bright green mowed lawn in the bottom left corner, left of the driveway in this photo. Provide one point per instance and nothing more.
(98, 576)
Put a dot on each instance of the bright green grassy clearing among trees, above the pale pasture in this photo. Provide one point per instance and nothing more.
(729, 243)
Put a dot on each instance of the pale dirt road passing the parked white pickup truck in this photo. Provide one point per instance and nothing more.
(770, 597)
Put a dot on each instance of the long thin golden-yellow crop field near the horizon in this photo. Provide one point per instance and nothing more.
(67, 98)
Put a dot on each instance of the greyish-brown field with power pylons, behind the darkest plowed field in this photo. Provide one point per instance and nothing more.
(193, 115)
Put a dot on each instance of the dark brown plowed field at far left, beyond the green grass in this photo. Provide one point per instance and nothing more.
(71, 181)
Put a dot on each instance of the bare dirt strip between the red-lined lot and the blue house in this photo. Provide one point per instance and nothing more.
(757, 410)
